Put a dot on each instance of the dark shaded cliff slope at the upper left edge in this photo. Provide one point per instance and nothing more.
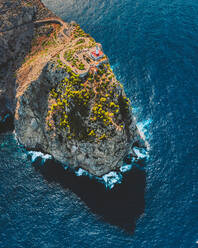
(16, 34)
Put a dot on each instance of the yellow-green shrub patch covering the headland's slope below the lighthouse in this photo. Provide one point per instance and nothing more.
(88, 108)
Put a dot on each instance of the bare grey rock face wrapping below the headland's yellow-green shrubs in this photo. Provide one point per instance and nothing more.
(96, 156)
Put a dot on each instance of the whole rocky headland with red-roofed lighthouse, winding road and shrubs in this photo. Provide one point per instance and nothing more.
(68, 102)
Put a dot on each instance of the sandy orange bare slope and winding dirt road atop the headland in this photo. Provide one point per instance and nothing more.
(30, 70)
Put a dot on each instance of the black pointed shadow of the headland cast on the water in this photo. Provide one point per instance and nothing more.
(120, 206)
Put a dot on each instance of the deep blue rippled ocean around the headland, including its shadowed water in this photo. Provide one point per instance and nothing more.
(152, 46)
